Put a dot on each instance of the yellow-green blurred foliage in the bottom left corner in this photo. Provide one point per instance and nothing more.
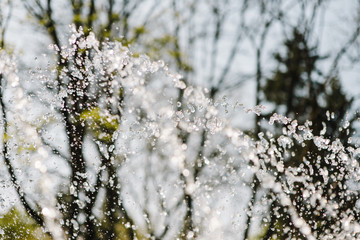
(15, 225)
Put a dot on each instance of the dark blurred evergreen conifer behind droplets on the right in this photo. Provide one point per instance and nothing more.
(298, 90)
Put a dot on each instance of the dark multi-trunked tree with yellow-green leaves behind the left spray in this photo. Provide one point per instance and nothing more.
(79, 107)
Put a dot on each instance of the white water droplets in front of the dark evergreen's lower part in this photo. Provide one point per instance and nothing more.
(278, 151)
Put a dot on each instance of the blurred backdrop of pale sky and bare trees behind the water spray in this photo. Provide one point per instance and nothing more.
(299, 58)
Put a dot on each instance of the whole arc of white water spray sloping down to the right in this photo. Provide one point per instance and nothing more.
(158, 121)
